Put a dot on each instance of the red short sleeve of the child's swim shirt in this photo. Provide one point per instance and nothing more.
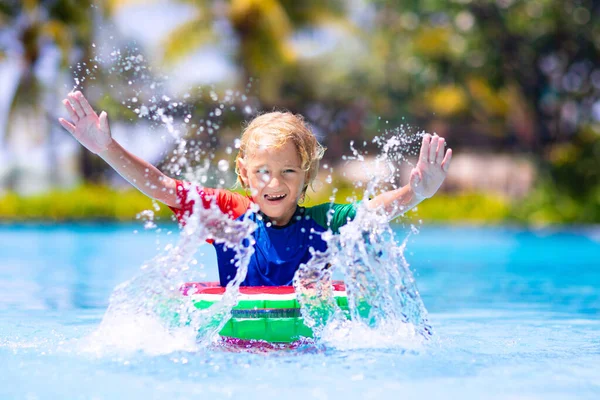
(231, 203)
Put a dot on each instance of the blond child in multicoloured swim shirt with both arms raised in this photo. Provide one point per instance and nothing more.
(278, 159)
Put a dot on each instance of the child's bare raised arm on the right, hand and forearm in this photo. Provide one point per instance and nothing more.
(425, 179)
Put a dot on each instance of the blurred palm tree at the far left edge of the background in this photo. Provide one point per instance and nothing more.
(32, 27)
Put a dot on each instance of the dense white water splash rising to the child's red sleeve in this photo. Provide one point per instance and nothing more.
(149, 313)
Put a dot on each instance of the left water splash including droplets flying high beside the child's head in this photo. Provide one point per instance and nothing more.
(147, 312)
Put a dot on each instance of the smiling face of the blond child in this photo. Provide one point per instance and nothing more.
(276, 180)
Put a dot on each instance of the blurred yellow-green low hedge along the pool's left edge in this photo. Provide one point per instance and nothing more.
(83, 203)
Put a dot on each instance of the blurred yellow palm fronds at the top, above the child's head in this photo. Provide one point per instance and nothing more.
(260, 29)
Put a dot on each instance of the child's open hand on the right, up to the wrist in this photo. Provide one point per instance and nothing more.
(431, 169)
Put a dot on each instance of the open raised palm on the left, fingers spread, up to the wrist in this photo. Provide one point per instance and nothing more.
(87, 127)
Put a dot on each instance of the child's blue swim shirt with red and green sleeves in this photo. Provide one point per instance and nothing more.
(278, 250)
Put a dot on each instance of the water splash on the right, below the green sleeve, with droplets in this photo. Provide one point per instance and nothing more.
(385, 308)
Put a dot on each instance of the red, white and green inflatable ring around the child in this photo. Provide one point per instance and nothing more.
(269, 313)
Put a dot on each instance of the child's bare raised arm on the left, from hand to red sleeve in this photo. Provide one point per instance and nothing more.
(93, 132)
